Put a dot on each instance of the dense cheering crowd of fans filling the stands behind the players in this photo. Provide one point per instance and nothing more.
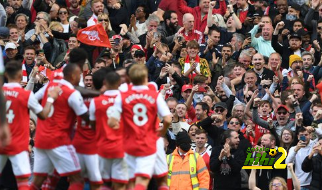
(253, 67)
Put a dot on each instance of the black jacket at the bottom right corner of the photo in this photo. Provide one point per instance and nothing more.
(314, 165)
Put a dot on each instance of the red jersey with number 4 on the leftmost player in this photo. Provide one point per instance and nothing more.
(19, 101)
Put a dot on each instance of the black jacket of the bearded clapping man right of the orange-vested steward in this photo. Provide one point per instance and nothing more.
(232, 180)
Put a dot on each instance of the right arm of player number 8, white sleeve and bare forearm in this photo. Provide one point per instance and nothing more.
(164, 112)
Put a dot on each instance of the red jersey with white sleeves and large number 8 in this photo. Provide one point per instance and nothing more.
(139, 107)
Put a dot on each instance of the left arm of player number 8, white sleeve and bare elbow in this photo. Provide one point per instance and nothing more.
(114, 113)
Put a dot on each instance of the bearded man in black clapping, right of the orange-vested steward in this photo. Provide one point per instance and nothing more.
(226, 162)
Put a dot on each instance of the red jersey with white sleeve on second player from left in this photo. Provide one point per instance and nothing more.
(55, 130)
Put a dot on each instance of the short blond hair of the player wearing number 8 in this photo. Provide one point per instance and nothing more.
(138, 74)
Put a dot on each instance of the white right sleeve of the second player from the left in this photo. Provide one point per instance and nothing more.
(76, 102)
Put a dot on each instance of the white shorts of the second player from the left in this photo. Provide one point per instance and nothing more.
(62, 158)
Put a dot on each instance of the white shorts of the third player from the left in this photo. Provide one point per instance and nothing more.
(90, 168)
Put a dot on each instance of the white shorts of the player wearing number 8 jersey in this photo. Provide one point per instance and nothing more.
(142, 166)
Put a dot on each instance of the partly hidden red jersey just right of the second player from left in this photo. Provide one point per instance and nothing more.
(85, 138)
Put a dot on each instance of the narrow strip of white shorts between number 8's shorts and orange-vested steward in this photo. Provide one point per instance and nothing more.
(161, 166)
